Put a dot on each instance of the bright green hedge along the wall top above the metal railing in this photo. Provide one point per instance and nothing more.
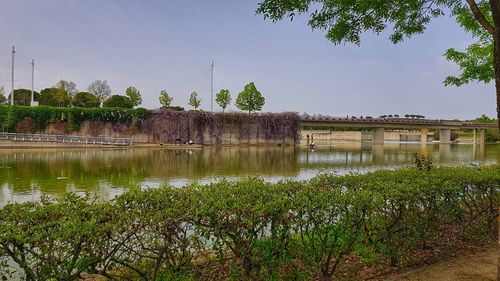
(10, 116)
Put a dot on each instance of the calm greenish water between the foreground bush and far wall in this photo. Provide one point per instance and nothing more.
(28, 174)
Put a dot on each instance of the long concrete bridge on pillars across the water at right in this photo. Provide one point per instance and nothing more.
(378, 126)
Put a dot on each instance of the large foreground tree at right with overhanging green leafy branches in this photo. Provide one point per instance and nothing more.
(345, 21)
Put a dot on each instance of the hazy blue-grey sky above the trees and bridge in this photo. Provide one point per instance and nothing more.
(157, 44)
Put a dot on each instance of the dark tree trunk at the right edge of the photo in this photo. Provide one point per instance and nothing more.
(495, 10)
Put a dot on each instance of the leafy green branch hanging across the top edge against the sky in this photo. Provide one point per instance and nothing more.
(345, 21)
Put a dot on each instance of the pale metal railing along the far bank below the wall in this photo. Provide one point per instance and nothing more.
(65, 139)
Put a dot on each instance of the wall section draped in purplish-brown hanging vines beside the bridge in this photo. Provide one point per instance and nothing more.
(223, 128)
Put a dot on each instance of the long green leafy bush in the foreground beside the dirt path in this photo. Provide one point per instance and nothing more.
(253, 230)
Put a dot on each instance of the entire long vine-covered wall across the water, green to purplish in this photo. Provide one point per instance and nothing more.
(161, 126)
